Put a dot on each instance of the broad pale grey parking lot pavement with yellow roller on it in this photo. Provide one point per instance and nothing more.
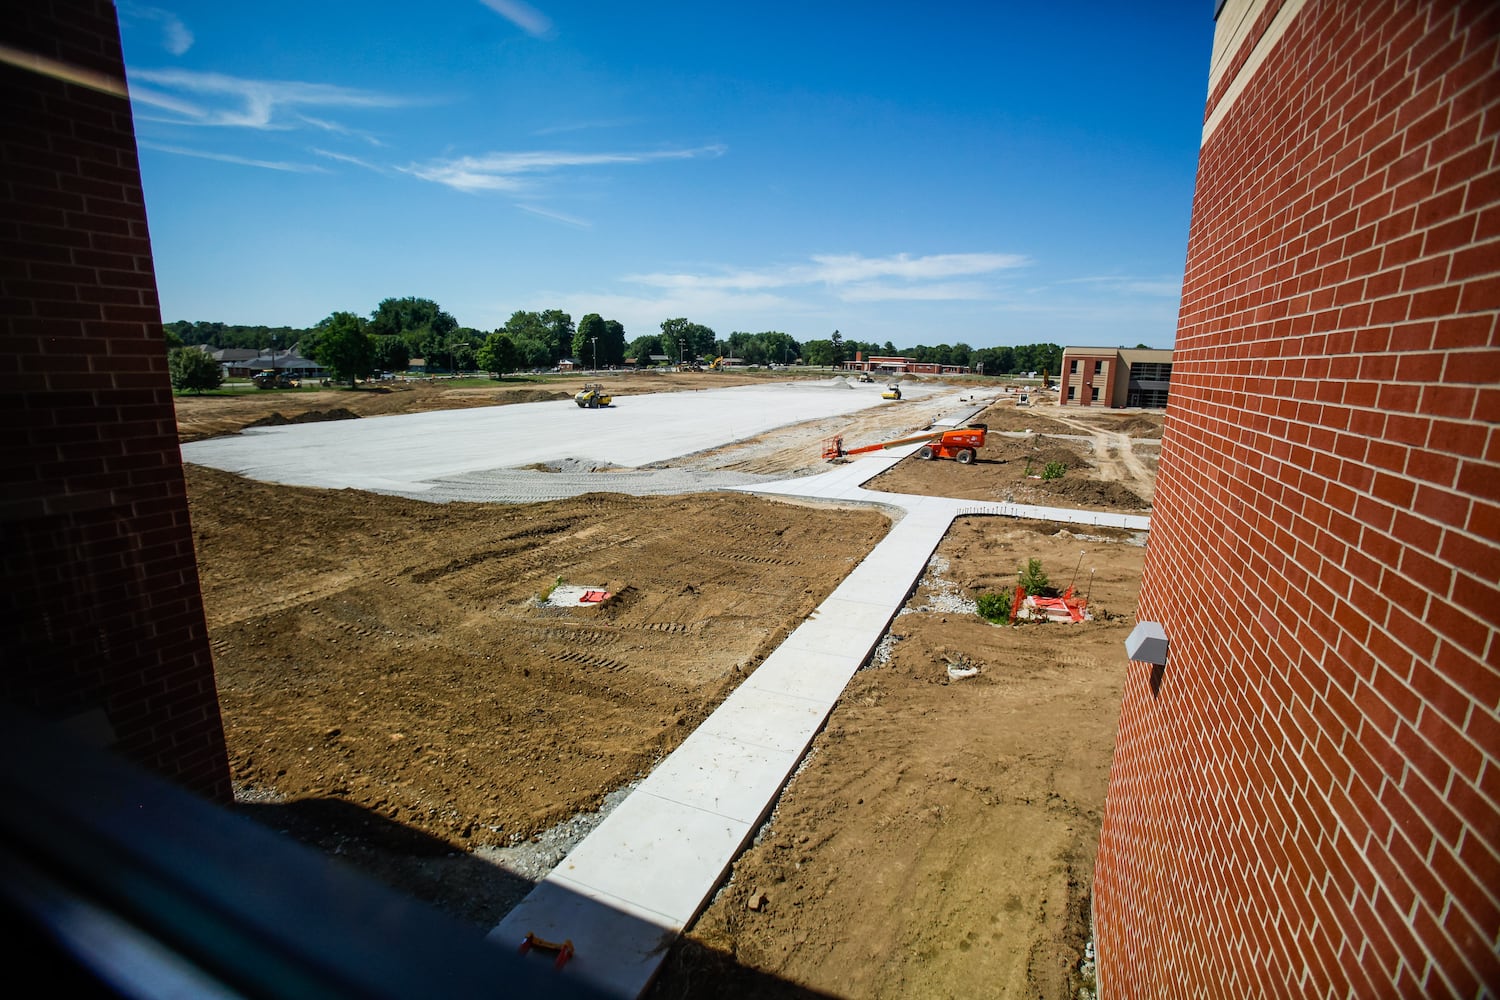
(407, 454)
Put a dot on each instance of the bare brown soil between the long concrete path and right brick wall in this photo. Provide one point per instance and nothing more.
(940, 840)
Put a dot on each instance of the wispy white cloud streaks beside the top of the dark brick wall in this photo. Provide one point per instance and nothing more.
(218, 100)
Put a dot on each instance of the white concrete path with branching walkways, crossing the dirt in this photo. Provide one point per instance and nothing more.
(628, 891)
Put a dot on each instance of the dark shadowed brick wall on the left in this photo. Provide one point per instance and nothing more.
(98, 579)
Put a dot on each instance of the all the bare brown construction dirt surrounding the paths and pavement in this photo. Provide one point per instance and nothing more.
(397, 693)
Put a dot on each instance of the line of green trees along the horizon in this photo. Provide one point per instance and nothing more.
(404, 329)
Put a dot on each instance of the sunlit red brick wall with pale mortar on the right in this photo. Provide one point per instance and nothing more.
(1306, 801)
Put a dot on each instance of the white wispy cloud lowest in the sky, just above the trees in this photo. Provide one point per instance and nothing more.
(859, 278)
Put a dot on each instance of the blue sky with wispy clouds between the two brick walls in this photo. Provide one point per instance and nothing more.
(922, 173)
